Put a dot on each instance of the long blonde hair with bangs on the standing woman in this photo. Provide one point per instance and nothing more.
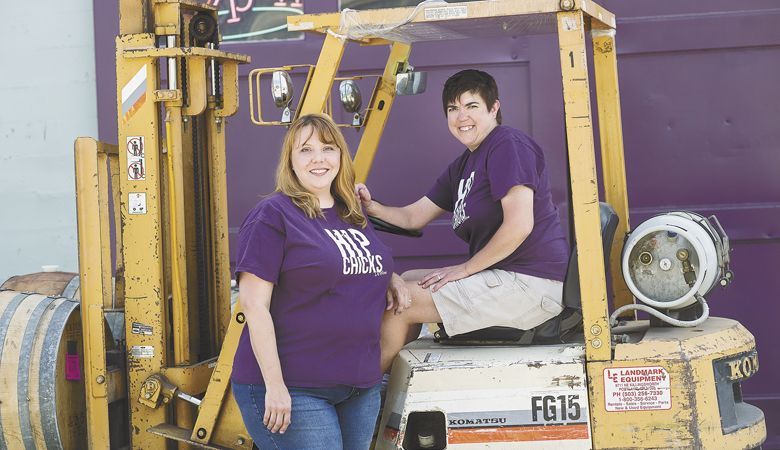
(343, 186)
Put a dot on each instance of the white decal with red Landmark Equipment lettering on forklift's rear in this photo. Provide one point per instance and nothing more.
(637, 389)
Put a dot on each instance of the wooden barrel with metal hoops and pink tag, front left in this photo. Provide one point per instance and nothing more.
(42, 401)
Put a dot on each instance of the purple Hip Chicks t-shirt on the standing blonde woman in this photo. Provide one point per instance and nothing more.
(330, 280)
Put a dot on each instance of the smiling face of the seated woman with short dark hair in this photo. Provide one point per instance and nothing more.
(470, 119)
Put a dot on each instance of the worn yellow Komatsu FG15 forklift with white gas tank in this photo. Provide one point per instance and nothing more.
(161, 193)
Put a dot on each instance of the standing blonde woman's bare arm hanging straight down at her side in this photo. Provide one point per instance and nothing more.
(255, 295)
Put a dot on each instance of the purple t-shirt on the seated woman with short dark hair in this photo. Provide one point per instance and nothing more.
(474, 184)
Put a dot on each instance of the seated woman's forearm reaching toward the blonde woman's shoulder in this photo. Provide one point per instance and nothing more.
(411, 217)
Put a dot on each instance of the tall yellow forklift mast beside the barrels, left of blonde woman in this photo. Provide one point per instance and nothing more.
(175, 90)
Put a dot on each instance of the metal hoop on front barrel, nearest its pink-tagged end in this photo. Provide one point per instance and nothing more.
(48, 377)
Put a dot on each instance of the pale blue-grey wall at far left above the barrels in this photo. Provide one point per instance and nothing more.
(47, 87)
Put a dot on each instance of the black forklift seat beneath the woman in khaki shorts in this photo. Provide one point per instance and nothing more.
(560, 328)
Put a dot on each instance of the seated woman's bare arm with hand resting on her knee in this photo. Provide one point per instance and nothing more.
(518, 208)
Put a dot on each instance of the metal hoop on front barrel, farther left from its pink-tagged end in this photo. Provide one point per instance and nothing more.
(23, 379)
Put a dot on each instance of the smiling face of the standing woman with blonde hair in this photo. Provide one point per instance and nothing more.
(315, 163)
